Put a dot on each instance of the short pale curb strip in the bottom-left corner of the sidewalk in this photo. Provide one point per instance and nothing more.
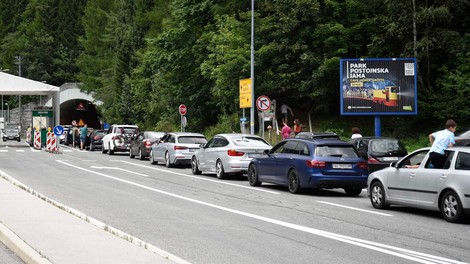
(20, 248)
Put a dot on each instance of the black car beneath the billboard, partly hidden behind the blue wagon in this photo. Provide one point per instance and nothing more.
(379, 151)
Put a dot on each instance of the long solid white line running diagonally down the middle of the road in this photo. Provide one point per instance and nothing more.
(391, 250)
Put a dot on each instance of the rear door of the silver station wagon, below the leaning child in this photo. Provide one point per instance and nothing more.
(429, 181)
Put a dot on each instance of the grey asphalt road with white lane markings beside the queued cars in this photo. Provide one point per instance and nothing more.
(205, 220)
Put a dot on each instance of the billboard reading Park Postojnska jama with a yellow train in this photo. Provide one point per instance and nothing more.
(378, 86)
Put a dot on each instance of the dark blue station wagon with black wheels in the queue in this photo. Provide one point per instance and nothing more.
(311, 163)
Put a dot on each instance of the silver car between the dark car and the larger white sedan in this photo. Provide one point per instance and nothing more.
(176, 148)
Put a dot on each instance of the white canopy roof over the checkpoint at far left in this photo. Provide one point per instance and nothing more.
(14, 85)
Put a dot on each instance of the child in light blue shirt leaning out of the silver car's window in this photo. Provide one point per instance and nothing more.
(440, 141)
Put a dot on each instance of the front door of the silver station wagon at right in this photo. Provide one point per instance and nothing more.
(401, 183)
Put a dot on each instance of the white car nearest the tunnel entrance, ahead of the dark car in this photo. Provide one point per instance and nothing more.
(118, 138)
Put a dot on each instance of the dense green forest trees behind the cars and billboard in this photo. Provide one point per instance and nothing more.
(143, 58)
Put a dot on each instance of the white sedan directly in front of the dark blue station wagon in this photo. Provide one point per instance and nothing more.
(228, 154)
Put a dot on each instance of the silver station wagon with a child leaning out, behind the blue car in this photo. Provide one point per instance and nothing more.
(414, 181)
